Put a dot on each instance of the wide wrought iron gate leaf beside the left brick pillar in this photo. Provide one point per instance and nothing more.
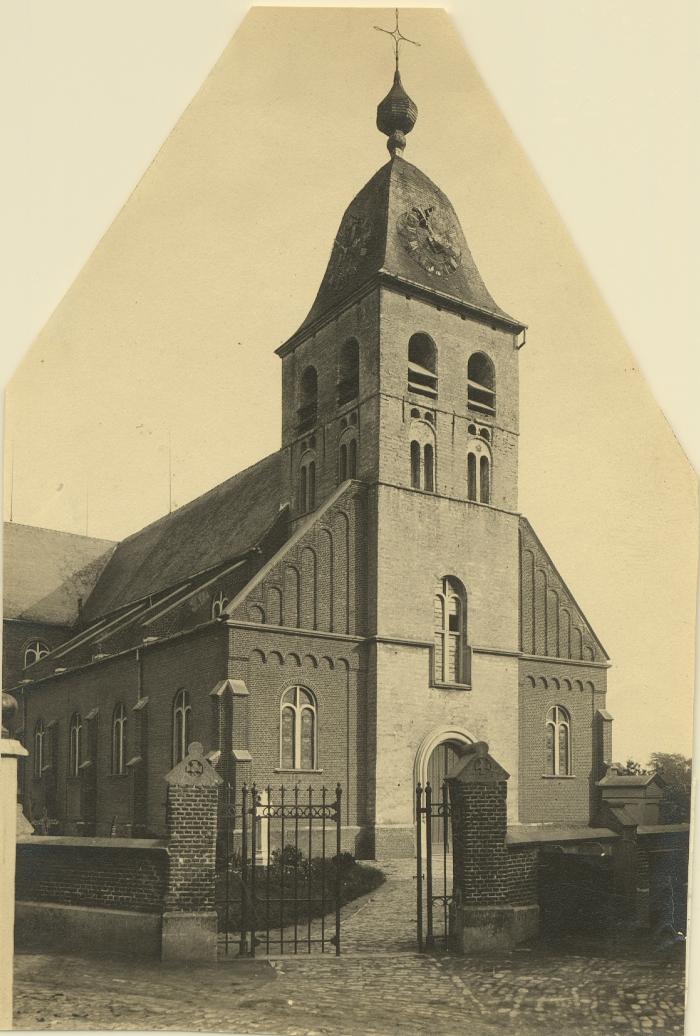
(279, 885)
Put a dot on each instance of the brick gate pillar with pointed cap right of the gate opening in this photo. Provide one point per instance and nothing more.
(494, 889)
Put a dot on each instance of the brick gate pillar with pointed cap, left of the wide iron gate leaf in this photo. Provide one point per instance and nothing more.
(190, 918)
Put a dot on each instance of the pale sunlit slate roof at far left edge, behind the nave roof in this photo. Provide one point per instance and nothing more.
(45, 572)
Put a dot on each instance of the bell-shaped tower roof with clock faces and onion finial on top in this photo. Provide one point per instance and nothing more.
(401, 229)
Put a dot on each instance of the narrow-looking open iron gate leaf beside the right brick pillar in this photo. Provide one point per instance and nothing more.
(433, 866)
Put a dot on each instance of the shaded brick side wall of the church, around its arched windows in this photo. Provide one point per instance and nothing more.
(195, 663)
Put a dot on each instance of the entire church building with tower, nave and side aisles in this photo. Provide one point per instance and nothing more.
(355, 609)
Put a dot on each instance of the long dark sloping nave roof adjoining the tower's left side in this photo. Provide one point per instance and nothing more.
(219, 526)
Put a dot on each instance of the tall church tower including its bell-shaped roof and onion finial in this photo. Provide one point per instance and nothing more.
(404, 377)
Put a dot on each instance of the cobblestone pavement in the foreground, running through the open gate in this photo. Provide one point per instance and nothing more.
(380, 986)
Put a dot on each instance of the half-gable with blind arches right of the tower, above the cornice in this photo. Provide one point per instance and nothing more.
(551, 623)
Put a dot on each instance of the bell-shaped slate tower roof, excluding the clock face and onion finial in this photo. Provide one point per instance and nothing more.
(377, 211)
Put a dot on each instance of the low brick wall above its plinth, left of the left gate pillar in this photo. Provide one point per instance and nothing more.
(113, 876)
